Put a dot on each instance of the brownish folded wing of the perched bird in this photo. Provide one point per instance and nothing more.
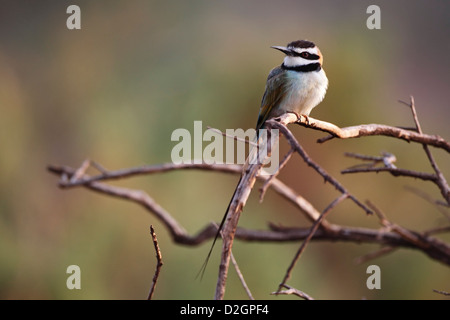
(274, 93)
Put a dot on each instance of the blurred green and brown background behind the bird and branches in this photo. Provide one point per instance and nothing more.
(115, 90)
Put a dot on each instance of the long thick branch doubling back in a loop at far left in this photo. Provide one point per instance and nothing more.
(437, 249)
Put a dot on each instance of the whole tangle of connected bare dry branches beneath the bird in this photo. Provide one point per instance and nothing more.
(391, 236)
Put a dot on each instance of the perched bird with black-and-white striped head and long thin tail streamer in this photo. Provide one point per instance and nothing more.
(298, 85)
